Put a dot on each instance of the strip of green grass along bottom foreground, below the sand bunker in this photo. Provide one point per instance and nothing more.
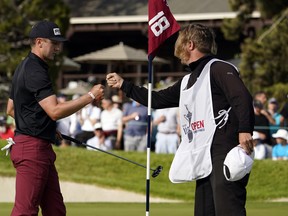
(159, 209)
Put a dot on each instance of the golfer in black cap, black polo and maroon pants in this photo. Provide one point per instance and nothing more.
(34, 106)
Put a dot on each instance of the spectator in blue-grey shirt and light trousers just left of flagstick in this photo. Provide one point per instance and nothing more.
(135, 120)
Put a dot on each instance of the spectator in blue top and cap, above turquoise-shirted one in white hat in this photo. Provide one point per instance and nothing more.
(278, 118)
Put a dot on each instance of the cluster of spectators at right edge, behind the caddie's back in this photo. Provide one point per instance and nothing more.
(270, 134)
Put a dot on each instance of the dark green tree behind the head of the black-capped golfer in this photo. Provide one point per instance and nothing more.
(16, 19)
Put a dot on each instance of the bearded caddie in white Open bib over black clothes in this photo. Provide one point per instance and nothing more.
(216, 114)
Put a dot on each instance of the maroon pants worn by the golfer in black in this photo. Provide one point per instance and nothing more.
(37, 182)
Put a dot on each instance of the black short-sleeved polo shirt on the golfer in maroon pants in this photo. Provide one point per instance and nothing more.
(31, 84)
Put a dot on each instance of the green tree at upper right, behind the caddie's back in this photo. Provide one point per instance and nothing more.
(264, 64)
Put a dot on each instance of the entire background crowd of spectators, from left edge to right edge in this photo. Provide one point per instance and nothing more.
(113, 125)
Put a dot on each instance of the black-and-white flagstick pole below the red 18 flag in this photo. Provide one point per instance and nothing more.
(150, 75)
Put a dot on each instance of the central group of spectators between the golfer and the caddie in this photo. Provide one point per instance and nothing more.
(121, 126)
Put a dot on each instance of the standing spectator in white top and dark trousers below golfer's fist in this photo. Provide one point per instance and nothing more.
(90, 115)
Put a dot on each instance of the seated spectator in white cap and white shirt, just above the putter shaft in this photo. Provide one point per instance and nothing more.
(99, 140)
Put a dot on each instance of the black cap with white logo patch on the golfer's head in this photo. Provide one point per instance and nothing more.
(46, 29)
